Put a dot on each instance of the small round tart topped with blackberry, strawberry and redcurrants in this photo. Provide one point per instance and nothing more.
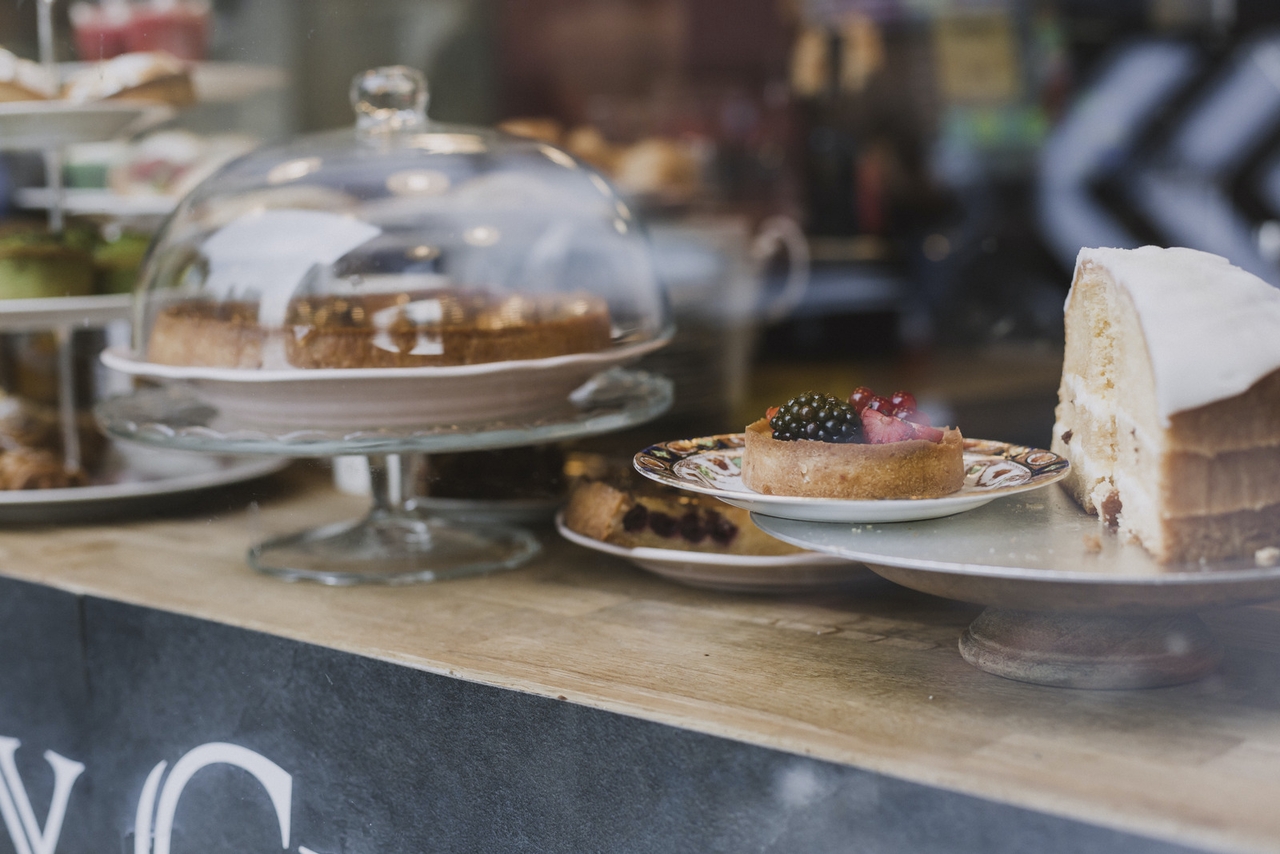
(867, 447)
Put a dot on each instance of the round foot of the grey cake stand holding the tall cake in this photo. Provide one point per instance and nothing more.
(1099, 651)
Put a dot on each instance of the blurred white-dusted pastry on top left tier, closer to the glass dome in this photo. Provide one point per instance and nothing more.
(156, 77)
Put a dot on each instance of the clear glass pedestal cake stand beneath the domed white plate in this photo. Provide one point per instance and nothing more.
(399, 541)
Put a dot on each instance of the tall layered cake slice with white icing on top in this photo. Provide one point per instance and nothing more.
(1169, 407)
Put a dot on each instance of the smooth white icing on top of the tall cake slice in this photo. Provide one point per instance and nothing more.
(1213, 330)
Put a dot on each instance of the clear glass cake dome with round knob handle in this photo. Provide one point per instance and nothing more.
(397, 244)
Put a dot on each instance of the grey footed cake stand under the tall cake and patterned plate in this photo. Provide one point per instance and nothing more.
(1067, 604)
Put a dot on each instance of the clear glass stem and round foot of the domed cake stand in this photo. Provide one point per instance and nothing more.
(396, 544)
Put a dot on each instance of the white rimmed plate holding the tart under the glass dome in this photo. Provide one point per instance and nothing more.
(387, 398)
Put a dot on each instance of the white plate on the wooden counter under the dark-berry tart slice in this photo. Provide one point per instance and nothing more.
(733, 573)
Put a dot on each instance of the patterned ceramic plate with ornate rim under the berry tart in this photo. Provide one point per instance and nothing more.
(714, 465)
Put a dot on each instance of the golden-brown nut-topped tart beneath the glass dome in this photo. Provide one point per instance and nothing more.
(433, 328)
